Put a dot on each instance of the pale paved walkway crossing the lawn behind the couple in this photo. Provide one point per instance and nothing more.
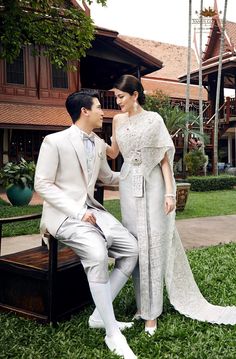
(194, 233)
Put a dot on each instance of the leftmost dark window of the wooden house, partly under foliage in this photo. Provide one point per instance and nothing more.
(15, 71)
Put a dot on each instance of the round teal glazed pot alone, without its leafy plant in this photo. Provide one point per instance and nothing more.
(19, 196)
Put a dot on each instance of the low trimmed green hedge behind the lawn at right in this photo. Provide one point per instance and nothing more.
(211, 183)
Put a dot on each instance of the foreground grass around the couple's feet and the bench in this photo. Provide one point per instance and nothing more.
(177, 337)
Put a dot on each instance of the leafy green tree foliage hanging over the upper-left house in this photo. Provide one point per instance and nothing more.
(56, 29)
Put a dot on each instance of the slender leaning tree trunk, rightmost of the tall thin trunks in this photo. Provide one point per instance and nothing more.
(216, 124)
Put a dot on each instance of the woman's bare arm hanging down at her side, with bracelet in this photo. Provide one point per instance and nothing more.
(168, 179)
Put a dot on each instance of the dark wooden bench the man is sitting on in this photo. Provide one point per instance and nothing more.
(47, 284)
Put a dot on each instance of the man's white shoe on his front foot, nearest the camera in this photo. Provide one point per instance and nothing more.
(118, 345)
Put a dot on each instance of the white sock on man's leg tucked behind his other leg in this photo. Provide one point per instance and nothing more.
(117, 282)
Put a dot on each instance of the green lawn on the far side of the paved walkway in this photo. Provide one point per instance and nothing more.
(199, 204)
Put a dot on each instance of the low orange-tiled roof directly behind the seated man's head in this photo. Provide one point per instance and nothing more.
(38, 117)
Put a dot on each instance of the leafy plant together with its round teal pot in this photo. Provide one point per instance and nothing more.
(18, 180)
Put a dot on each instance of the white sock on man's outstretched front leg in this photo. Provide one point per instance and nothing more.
(101, 293)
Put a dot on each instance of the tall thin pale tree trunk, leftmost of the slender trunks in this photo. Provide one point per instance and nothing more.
(188, 81)
